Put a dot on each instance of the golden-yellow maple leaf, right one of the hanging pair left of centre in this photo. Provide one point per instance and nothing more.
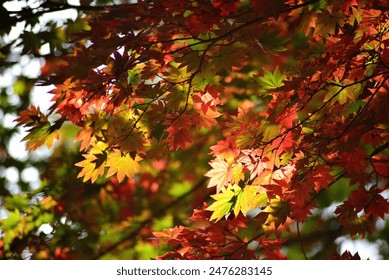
(122, 164)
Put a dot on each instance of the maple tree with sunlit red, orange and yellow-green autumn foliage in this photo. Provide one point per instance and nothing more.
(207, 130)
